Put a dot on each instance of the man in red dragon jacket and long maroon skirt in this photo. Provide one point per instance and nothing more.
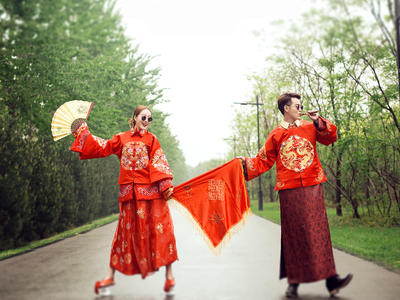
(306, 249)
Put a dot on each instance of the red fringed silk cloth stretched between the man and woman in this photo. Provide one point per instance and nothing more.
(216, 200)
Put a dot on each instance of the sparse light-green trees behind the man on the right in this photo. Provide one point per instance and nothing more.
(342, 60)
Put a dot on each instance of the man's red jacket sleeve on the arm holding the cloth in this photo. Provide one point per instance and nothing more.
(264, 160)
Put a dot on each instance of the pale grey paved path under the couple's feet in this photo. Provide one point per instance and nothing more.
(246, 269)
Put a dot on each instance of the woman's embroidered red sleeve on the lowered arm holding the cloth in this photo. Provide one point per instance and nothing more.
(159, 168)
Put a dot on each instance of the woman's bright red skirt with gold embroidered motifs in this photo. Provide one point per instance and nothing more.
(144, 239)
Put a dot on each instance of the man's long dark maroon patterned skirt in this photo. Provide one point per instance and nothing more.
(306, 248)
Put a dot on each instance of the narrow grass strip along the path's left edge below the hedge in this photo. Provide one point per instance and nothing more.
(63, 235)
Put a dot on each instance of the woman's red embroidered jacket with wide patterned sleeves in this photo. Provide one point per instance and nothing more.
(142, 161)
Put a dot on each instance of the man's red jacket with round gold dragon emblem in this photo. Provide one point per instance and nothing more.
(295, 152)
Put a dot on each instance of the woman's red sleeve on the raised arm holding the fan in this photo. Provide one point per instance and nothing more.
(89, 146)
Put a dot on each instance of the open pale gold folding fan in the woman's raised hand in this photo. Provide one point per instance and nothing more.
(68, 117)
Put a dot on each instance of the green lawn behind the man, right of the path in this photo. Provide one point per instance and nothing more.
(368, 240)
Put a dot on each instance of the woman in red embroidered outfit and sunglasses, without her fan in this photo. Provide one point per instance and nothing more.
(144, 239)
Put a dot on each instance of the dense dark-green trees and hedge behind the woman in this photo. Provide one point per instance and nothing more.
(52, 52)
